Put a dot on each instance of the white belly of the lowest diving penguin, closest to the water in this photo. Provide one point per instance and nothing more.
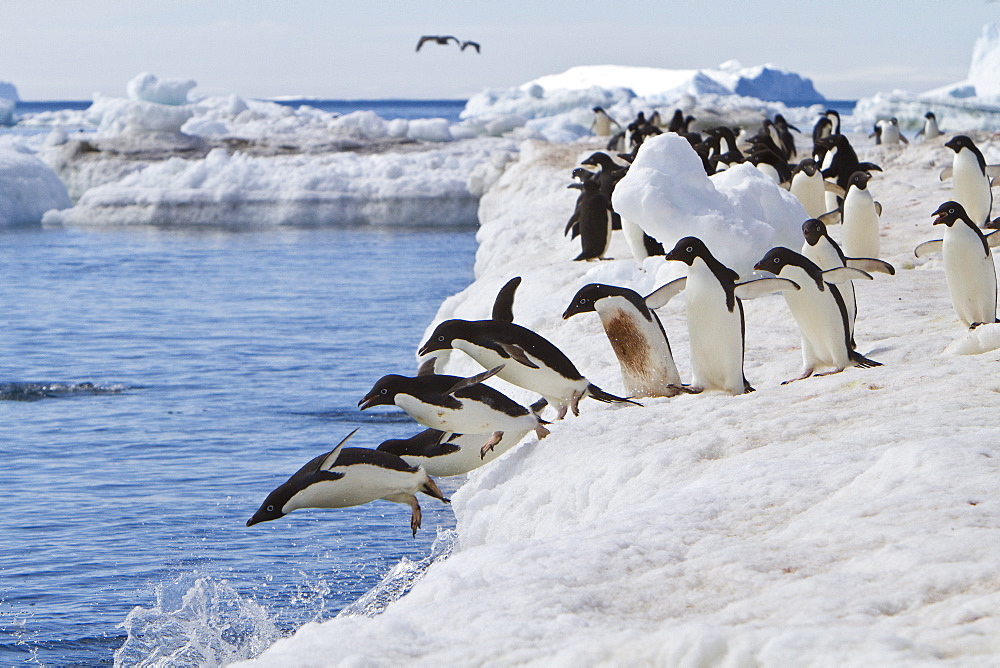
(362, 483)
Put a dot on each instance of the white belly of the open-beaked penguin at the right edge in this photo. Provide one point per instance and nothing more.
(971, 276)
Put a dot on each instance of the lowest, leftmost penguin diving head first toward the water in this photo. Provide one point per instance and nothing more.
(349, 477)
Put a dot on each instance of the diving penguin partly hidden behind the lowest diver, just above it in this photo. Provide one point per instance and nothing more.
(460, 454)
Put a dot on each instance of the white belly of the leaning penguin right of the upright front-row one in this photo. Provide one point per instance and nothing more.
(821, 325)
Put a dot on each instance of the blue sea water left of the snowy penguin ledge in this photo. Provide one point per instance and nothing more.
(156, 384)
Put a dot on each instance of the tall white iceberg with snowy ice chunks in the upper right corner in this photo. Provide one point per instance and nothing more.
(971, 104)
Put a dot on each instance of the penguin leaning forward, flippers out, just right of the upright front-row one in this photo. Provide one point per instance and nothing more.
(819, 310)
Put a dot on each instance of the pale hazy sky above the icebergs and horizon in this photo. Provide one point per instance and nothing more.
(70, 49)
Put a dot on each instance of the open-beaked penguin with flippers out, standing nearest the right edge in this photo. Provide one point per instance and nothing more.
(968, 265)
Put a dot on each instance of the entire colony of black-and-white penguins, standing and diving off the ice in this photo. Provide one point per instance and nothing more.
(467, 423)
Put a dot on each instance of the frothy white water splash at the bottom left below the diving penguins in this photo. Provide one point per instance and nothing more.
(204, 622)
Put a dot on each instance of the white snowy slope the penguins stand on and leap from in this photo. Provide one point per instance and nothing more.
(846, 520)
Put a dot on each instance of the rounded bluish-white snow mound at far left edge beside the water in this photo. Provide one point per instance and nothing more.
(28, 188)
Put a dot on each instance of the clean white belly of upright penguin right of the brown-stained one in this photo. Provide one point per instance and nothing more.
(715, 333)
